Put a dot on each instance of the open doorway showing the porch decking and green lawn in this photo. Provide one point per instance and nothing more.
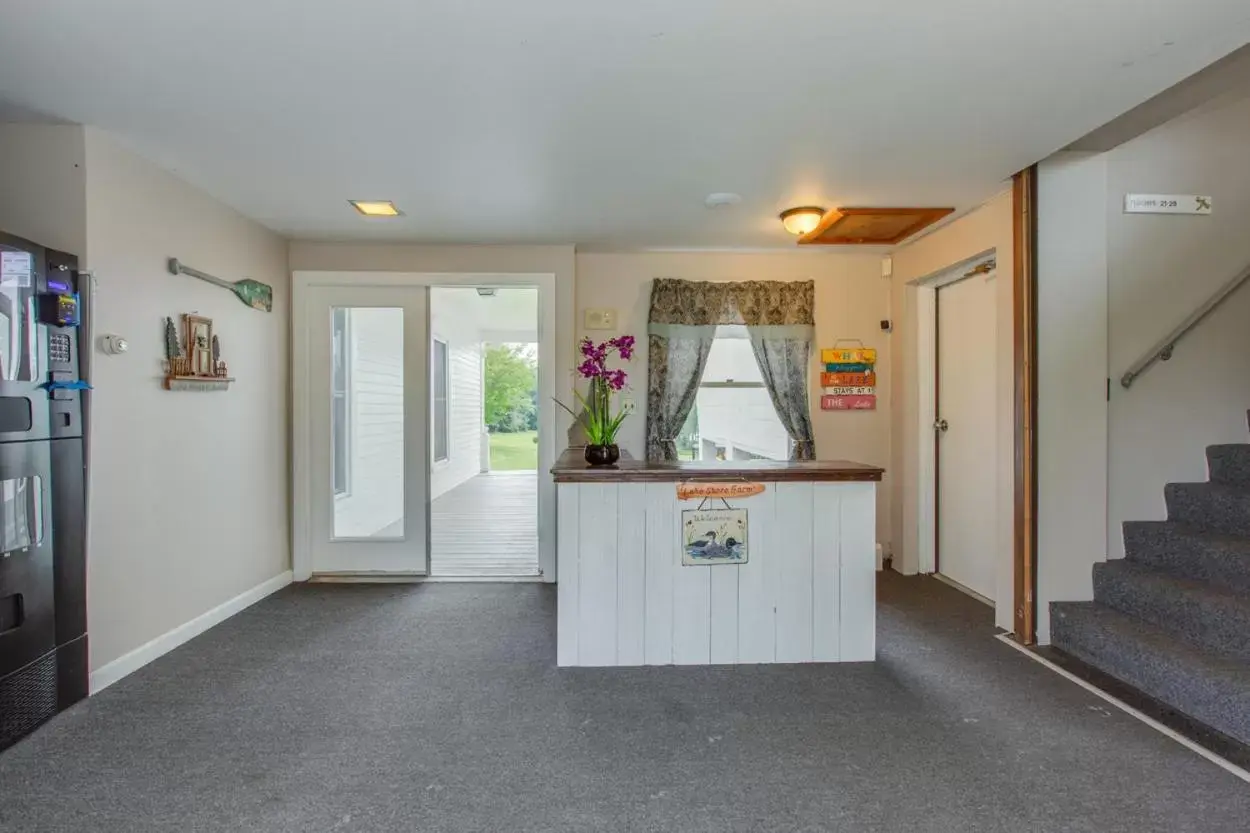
(484, 462)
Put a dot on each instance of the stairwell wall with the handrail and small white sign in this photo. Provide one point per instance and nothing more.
(1162, 268)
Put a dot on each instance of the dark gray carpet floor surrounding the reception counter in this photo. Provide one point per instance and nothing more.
(423, 709)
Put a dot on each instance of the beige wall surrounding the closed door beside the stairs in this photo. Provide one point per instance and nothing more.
(987, 230)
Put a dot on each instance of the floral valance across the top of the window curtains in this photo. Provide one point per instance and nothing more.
(754, 303)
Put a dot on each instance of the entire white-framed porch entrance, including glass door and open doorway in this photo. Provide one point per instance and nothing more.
(394, 466)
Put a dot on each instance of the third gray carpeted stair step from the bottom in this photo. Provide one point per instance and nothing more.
(1191, 553)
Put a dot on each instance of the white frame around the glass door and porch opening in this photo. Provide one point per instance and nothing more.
(302, 535)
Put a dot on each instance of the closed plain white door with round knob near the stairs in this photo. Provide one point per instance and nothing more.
(966, 435)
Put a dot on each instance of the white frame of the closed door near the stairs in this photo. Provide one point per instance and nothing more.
(924, 297)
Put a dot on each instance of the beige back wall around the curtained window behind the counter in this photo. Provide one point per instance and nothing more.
(852, 300)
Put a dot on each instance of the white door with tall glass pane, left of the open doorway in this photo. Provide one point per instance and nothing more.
(368, 411)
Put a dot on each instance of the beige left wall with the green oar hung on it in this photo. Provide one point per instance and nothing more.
(189, 491)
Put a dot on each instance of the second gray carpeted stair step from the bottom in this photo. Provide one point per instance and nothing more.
(1204, 615)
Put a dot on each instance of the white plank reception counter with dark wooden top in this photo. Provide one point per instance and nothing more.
(716, 563)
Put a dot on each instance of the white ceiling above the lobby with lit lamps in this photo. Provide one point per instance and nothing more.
(597, 123)
